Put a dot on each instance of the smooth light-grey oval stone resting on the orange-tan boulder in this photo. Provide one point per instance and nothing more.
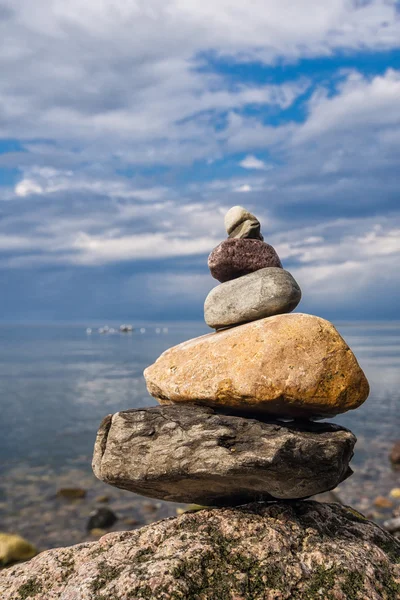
(265, 293)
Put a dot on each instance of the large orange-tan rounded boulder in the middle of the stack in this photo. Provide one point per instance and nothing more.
(292, 365)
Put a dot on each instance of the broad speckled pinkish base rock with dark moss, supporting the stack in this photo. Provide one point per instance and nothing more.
(278, 551)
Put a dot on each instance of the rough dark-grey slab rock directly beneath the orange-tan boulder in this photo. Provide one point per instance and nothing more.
(191, 454)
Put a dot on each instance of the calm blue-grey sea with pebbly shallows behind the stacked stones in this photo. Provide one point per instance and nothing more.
(57, 382)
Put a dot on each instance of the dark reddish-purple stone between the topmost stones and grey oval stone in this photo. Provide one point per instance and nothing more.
(236, 257)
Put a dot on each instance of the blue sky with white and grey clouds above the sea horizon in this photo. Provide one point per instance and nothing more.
(129, 127)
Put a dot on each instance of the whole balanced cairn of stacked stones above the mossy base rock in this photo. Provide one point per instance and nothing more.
(240, 410)
